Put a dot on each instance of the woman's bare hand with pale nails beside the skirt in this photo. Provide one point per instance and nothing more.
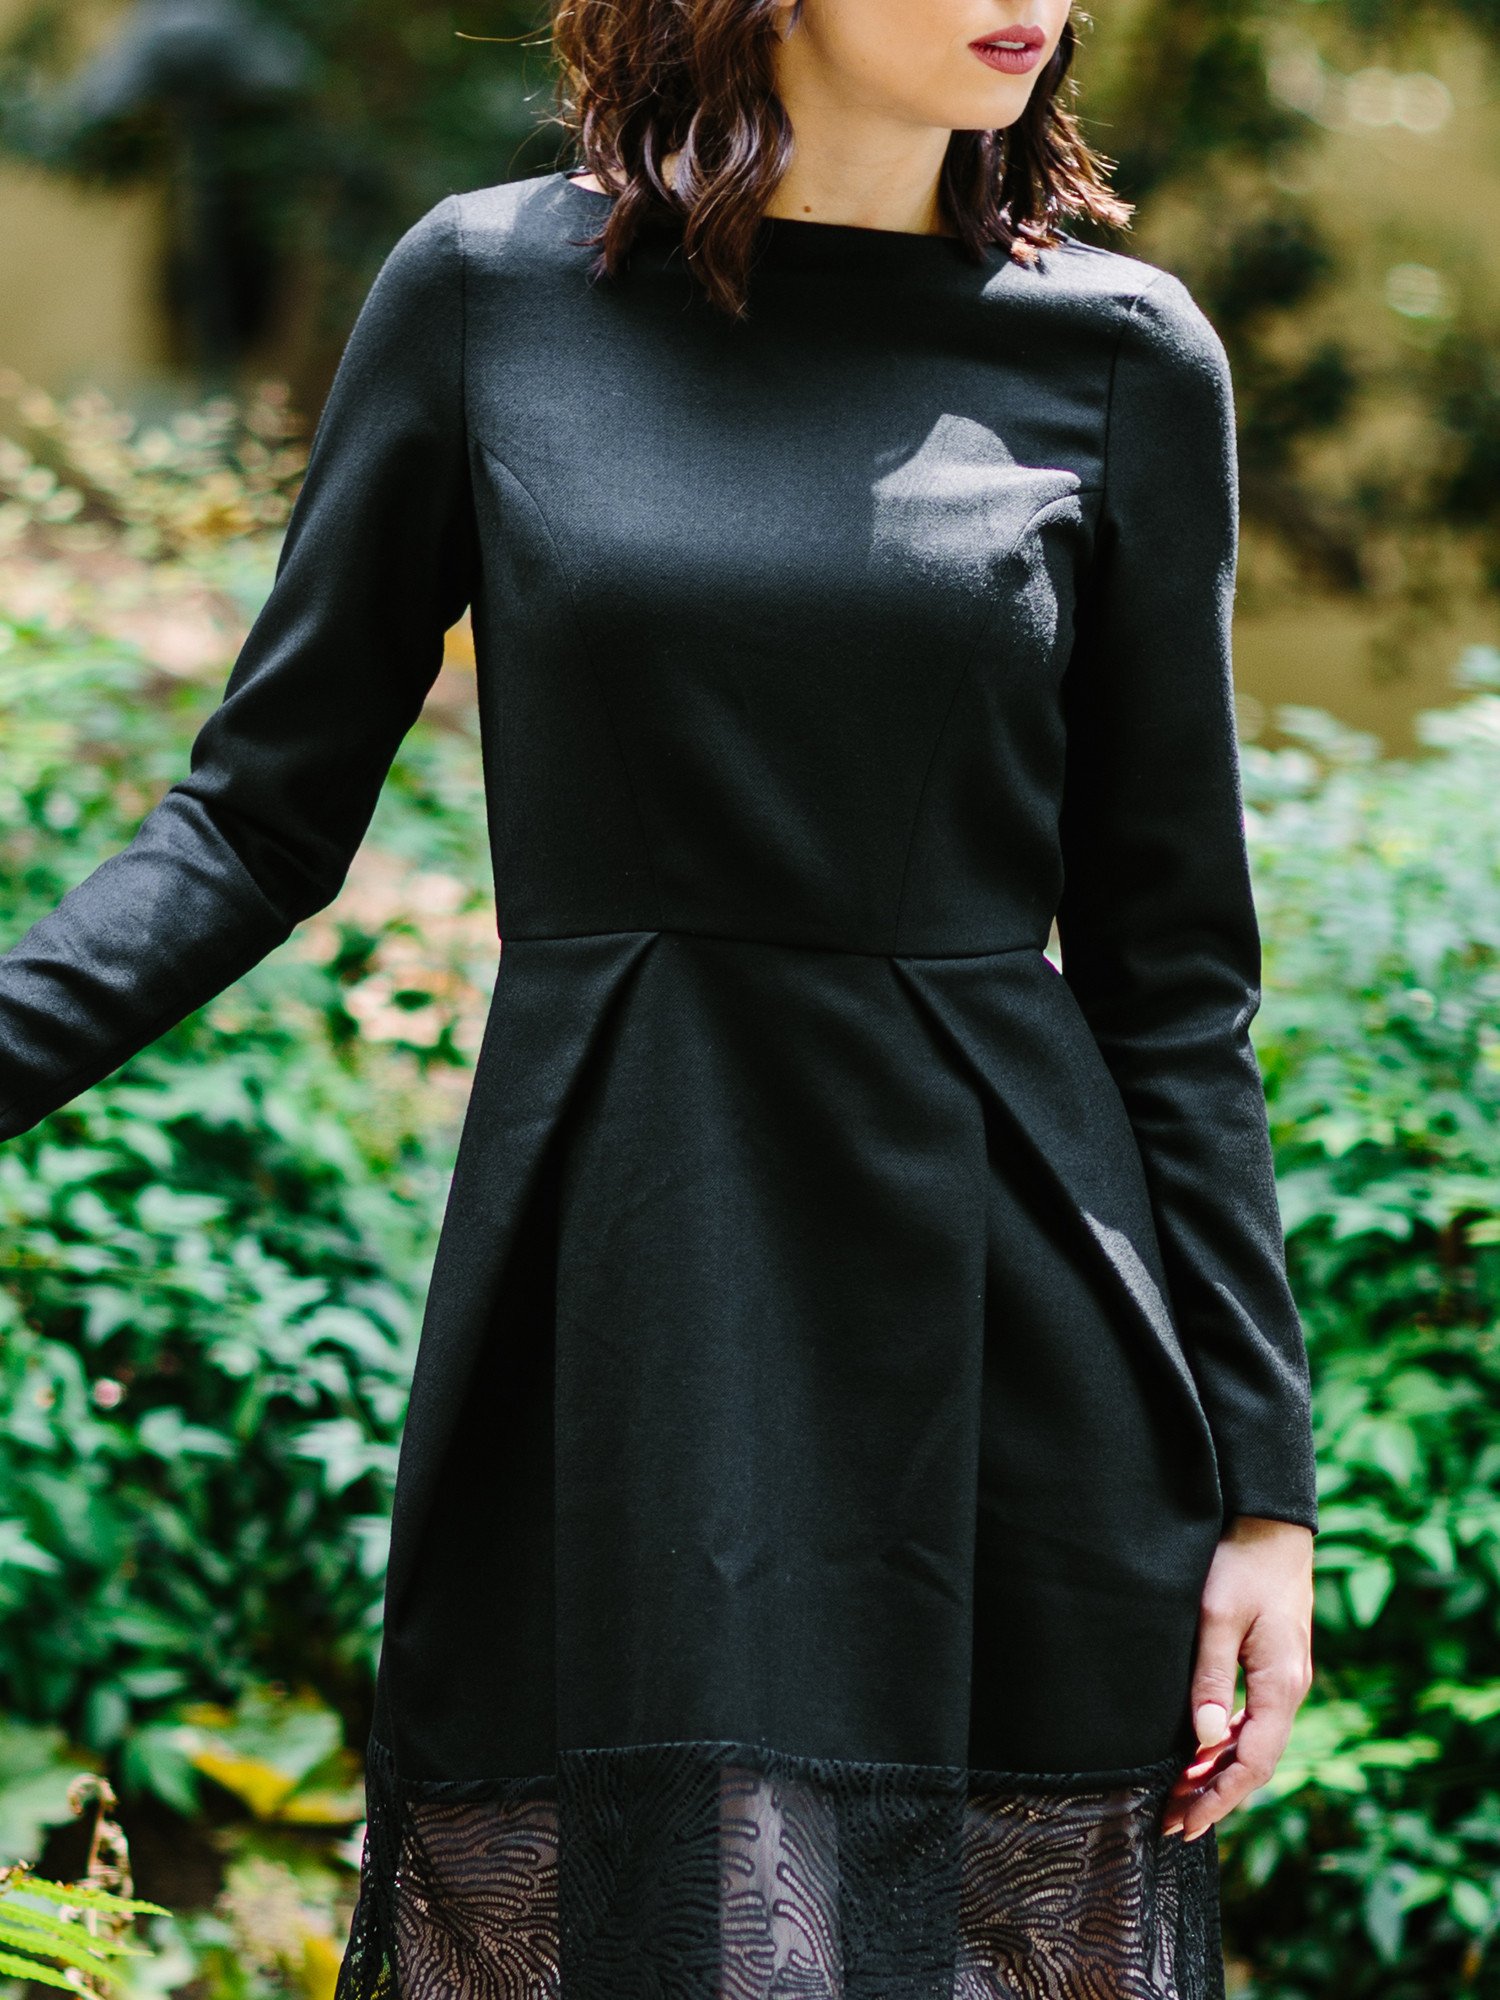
(1257, 1609)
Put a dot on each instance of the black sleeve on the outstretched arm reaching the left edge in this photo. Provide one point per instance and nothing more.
(379, 561)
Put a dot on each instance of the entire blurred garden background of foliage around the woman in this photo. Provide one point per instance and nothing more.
(211, 1267)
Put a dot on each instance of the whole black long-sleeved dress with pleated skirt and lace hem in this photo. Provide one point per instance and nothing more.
(849, 1333)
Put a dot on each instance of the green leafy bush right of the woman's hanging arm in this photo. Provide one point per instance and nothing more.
(1371, 1865)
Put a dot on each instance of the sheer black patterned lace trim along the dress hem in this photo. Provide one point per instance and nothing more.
(735, 1873)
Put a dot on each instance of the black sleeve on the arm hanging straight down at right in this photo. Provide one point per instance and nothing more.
(1157, 925)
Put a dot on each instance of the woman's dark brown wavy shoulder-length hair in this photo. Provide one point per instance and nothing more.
(647, 79)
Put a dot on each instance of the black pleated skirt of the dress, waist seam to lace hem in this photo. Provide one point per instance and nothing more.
(803, 1505)
